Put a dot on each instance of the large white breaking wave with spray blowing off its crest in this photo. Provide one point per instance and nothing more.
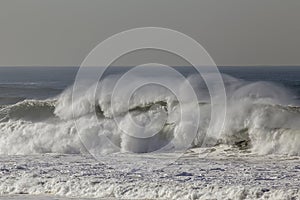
(260, 116)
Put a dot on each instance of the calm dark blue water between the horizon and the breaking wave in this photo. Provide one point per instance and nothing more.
(18, 83)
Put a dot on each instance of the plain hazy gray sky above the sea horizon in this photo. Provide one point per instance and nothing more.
(234, 32)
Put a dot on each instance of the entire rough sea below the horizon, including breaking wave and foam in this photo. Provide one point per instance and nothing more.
(255, 154)
